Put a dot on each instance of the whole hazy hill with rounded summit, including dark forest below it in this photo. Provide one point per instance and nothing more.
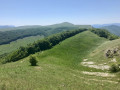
(26, 31)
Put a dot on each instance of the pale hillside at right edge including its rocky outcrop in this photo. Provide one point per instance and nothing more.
(99, 55)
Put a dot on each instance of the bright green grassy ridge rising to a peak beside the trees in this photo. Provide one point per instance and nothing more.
(73, 50)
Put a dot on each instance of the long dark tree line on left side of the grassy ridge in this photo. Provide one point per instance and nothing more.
(40, 45)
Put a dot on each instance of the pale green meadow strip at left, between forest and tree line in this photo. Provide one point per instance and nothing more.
(7, 48)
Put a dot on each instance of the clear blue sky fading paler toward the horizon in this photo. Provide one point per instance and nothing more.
(47, 12)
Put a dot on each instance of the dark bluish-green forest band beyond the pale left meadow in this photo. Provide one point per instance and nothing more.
(8, 36)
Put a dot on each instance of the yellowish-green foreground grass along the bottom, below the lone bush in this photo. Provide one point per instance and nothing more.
(21, 76)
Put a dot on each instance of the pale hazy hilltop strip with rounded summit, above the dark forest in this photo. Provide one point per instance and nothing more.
(60, 25)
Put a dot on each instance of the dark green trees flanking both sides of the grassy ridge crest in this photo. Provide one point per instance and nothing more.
(51, 41)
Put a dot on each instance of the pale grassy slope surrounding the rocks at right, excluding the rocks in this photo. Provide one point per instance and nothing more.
(98, 55)
